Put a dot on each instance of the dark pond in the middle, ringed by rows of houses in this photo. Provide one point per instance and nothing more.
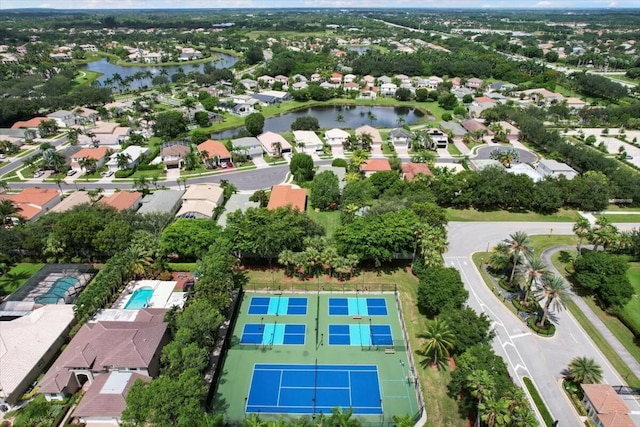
(353, 116)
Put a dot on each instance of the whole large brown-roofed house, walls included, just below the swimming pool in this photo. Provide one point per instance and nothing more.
(107, 346)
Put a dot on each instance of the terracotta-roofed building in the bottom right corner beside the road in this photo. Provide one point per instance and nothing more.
(604, 407)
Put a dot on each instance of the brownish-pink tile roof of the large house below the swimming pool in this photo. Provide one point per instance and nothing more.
(105, 345)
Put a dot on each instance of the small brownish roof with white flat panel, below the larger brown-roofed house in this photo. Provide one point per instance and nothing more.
(106, 395)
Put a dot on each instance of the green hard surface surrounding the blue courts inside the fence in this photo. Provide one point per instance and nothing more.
(397, 395)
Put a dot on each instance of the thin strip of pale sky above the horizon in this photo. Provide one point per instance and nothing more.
(177, 4)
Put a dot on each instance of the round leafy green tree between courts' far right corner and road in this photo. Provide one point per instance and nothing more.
(440, 289)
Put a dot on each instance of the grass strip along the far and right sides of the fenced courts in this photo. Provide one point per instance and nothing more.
(442, 411)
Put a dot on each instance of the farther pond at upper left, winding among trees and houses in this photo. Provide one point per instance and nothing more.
(108, 69)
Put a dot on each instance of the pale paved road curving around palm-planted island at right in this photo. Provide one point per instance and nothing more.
(526, 354)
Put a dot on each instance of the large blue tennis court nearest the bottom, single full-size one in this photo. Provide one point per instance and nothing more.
(313, 389)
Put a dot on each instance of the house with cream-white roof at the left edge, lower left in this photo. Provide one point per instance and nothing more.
(29, 343)
